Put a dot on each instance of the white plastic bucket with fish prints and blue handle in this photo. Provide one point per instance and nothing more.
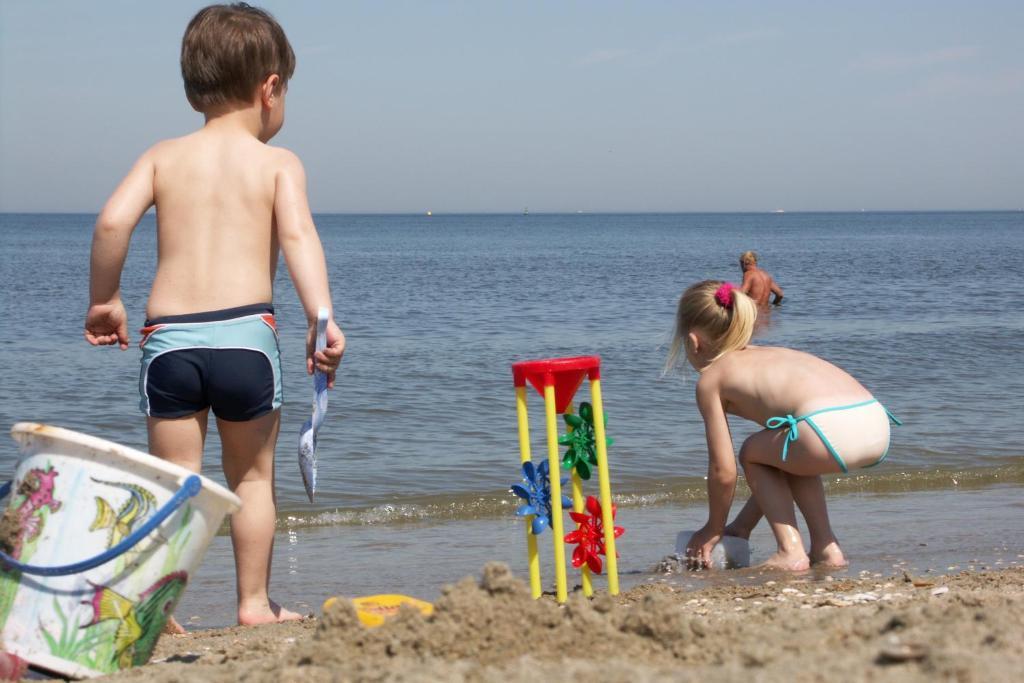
(99, 543)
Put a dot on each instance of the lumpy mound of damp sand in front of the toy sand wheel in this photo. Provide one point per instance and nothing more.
(495, 621)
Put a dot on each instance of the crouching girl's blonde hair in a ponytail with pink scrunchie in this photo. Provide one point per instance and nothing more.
(722, 314)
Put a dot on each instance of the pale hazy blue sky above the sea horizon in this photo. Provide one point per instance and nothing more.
(405, 107)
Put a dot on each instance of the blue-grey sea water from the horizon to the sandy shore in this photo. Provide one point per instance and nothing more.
(420, 444)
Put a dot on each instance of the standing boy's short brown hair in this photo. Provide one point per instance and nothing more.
(229, 51)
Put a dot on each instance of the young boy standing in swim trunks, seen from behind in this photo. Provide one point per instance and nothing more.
(227, 203)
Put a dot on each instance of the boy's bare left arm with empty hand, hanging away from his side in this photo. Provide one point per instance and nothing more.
(106, 322)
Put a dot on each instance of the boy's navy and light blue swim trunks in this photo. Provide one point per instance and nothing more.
(225, 360)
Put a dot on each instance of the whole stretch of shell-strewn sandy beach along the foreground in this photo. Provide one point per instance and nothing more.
(965, 627)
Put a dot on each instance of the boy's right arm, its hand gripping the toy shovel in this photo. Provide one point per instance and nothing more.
(305, 257)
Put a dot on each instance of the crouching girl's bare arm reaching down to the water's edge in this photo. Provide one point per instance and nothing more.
(721, 474)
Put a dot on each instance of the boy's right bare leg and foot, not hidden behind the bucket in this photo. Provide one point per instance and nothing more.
(248, 463)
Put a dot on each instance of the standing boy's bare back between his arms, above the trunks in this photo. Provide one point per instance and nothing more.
(215, 193)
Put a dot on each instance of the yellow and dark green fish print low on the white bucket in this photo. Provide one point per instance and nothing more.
(139, 624)
